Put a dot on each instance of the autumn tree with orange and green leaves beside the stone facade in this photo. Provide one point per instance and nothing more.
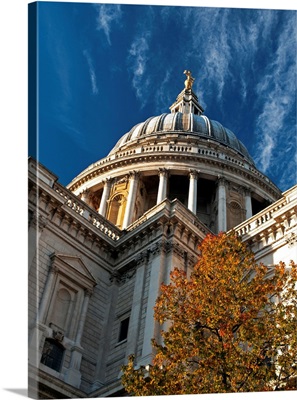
(230, 326)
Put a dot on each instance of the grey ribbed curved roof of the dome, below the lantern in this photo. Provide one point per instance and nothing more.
(186, 124)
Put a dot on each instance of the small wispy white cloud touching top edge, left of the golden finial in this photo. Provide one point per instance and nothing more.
(108, 15)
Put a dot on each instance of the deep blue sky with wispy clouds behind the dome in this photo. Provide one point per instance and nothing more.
(103, 68)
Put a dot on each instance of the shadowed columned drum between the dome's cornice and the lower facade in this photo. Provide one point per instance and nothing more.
(154, 184)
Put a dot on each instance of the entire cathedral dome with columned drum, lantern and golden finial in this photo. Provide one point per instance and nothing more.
(183, 155)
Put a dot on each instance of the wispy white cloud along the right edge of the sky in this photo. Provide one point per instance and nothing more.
(278, 89)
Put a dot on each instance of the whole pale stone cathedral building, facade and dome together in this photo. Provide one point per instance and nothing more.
(100, 248)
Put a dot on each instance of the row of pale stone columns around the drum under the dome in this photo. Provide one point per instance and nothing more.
(163, 193)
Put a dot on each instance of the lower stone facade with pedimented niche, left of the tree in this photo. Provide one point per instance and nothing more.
(87, 278)
